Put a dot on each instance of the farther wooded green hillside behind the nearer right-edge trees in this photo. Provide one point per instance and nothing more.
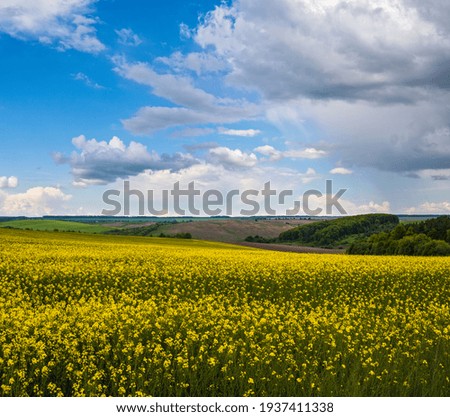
(331, 232)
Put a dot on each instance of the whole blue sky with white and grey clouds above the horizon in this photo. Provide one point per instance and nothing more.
(225, 94)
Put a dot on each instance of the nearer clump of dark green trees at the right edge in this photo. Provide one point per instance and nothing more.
(428, 238)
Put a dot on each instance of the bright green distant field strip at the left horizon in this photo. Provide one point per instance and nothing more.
(55, 225)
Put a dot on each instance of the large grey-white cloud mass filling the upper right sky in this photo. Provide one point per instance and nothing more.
(372, 76)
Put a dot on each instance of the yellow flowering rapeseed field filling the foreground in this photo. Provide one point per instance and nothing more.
(85, 315)
